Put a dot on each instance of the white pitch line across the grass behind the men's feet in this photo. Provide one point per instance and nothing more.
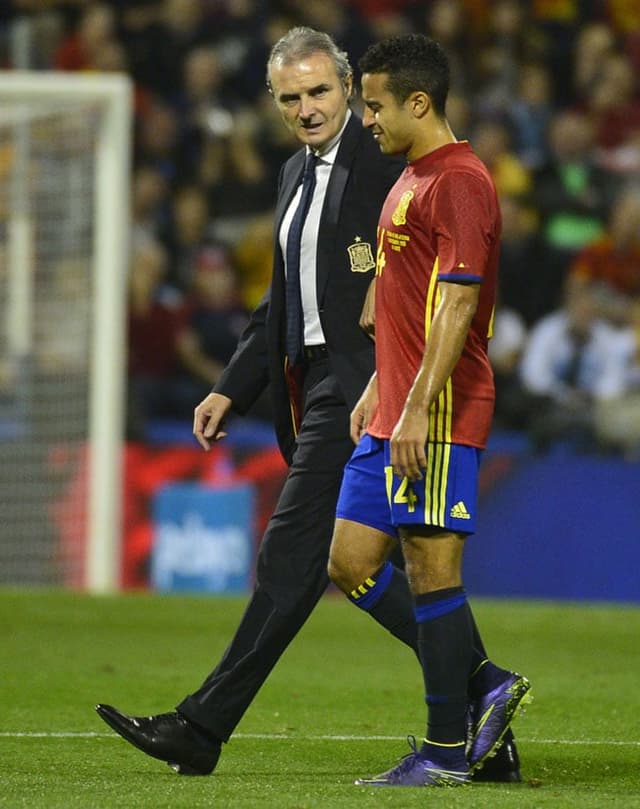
(327, 738)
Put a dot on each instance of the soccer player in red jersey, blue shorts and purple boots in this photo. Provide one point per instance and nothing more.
(425, 415)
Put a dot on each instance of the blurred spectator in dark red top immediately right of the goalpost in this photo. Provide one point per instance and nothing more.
(156, 318)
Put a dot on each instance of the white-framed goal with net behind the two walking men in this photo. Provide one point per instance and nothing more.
(64, 169)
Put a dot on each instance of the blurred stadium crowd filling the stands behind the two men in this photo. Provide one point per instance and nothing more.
(547, 93)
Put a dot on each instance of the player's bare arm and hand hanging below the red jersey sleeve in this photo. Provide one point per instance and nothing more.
(449, 330)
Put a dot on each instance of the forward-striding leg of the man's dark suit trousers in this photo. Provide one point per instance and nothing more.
(291, 571)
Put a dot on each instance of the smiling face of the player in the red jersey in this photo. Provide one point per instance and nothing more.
(389, 121)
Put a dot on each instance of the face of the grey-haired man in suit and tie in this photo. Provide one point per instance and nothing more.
(311, 98)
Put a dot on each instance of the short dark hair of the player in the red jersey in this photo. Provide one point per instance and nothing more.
(413, 62)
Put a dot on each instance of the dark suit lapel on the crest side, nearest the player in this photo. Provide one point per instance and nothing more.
(327, 235)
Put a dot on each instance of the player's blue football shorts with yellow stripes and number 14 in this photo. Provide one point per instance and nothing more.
(446, 497)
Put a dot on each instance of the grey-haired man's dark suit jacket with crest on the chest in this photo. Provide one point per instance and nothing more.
(360, 179)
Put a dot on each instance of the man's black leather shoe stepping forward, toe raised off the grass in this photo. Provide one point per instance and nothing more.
(169, 737)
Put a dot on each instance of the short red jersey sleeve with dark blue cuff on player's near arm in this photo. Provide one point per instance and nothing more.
(464, 217)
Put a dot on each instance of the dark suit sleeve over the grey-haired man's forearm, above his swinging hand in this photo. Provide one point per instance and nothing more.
(247, 373)
